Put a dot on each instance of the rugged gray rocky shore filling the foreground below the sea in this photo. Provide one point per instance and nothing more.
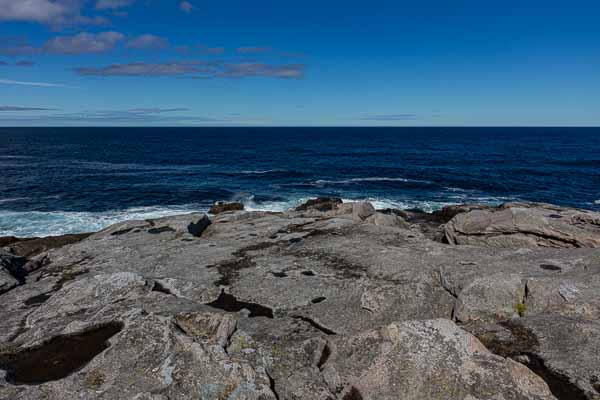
(330, 301)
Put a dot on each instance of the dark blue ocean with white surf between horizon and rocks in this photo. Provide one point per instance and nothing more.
(65, 180)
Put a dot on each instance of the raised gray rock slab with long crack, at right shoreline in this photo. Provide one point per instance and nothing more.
(524, 225)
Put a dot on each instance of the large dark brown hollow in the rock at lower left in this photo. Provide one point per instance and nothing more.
(57, 358)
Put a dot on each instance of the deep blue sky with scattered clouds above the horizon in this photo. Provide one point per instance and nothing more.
(303, 63)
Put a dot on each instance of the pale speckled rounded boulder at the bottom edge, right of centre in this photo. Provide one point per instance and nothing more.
(431, 359)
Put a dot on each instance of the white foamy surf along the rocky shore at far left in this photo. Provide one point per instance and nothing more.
(52, 223)
